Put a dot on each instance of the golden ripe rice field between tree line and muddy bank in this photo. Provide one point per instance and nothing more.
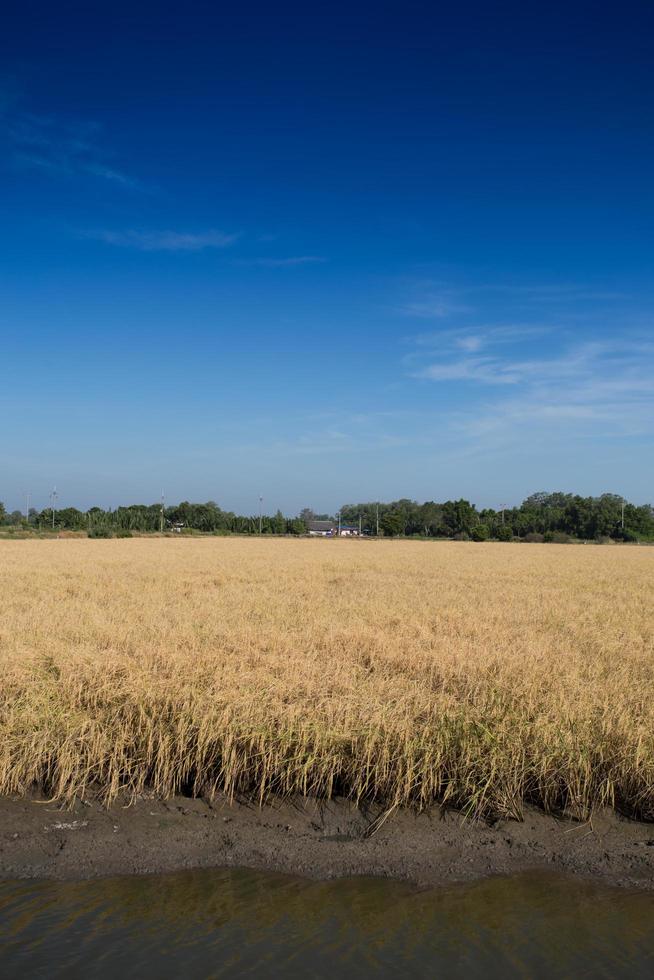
(479, 676)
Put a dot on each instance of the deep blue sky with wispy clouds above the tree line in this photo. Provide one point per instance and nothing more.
(326, 254)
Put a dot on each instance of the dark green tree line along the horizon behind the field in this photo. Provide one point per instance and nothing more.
(542, 516)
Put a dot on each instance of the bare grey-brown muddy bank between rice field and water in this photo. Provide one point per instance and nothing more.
(319, 840)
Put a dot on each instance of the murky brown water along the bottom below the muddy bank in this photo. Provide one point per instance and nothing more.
(238, 923)
